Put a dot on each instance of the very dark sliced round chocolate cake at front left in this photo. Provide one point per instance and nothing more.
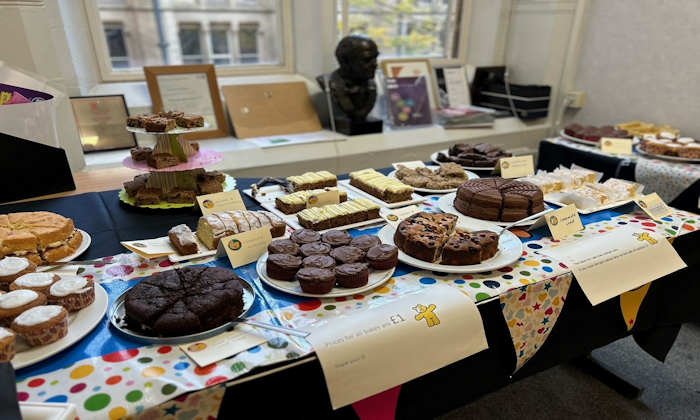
(184, 301)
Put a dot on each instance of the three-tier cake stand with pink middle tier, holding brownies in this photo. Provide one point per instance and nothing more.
(173, 142)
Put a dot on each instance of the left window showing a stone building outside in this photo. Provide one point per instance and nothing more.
(228, 33)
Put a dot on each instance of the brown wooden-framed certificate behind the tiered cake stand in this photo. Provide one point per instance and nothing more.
(192, 89)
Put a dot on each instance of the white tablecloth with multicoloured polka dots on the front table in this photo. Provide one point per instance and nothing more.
(133, 381)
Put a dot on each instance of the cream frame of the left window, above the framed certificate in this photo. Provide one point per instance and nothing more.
(108, 74)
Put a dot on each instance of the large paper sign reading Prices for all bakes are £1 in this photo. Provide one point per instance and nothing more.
(391, 344)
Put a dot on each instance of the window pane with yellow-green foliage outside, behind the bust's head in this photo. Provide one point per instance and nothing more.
(405, 28)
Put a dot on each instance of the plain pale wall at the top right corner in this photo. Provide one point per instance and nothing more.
(639, 61)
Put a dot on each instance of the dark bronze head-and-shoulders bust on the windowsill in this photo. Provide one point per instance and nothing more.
(352, 86)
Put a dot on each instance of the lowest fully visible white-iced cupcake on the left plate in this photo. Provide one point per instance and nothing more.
(42, 325)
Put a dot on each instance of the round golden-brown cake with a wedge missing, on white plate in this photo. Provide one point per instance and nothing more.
(433, 237)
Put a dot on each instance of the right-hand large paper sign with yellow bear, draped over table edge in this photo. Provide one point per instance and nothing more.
(609, 264)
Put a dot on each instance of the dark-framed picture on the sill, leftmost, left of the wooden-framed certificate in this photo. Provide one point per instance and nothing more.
(101, 122)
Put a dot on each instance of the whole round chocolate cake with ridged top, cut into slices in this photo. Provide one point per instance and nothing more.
(499, 199)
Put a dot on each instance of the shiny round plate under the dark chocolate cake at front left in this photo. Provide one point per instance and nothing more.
(118, 313)
